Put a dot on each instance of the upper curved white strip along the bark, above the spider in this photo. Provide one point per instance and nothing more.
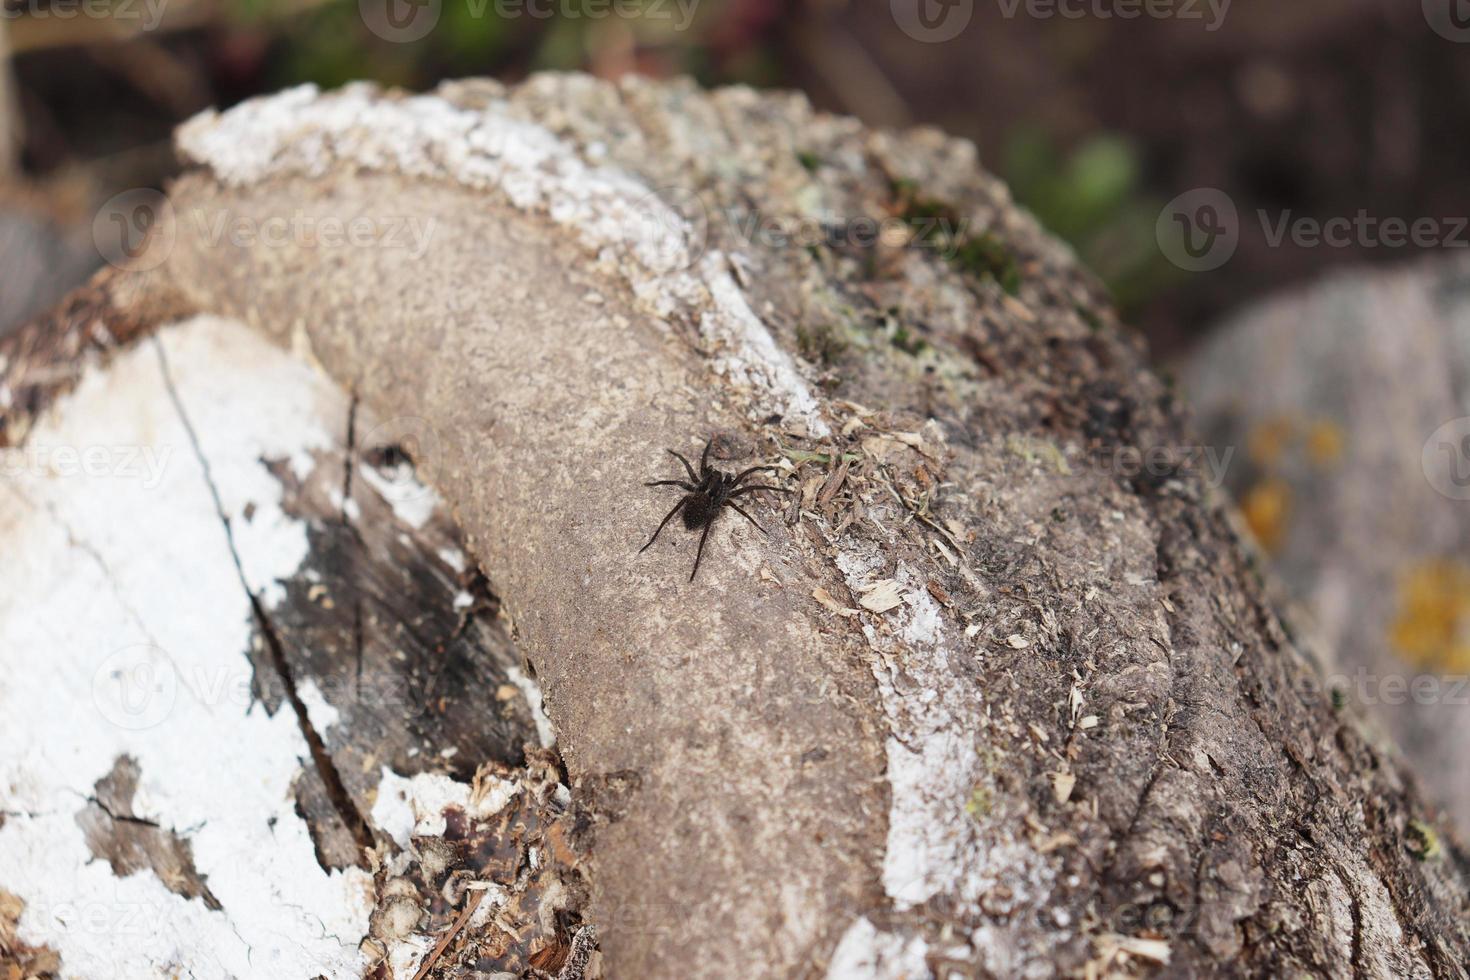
(614, 214)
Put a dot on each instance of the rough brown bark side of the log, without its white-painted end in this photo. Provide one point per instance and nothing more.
(986, 700)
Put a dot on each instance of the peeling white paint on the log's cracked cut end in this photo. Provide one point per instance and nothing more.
(126, 627)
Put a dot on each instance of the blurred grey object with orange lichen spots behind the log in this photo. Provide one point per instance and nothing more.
(1347, 414)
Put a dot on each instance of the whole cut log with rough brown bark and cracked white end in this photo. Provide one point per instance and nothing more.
(984, 703)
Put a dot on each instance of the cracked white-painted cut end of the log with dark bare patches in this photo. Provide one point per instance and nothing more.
(248, 668)
